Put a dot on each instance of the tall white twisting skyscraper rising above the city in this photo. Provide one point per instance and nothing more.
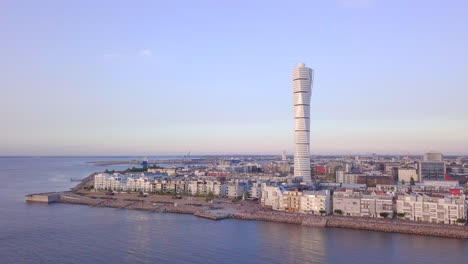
(302, 88)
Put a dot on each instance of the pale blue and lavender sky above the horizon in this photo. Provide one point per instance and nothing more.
(215, 77)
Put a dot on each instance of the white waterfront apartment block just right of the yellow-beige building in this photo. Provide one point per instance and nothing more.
(312, 202)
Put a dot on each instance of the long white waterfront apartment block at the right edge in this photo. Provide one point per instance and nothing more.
(435, 209)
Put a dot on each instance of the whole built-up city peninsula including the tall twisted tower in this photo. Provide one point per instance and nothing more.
(422, 195)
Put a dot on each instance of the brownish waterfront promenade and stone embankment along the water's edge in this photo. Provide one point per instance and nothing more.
(248, 210)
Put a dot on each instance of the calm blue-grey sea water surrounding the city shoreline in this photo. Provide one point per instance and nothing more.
(60, 233)
